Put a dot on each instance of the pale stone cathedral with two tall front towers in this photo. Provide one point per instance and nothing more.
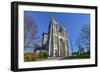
(56, 40)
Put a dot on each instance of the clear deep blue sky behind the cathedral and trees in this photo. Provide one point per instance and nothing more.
(72, 21)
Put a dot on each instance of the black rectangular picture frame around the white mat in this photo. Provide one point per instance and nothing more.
(14, 35)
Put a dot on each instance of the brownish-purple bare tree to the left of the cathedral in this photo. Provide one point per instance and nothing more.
(30, 32)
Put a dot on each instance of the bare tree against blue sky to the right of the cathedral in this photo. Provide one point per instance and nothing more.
(83, 41)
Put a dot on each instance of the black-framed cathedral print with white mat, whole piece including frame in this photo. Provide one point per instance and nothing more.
(52, 36)
